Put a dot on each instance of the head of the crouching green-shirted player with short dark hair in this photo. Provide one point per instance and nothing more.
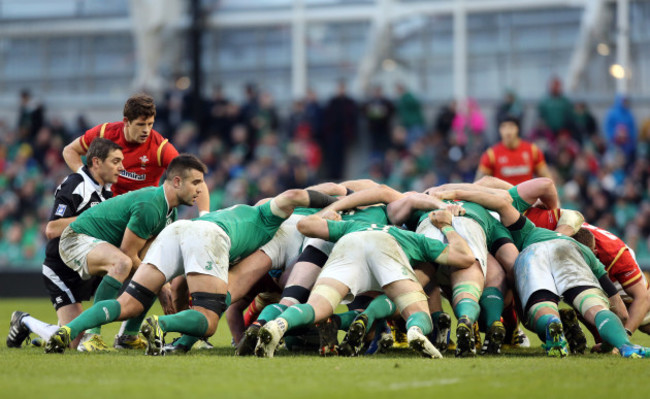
(185, 175)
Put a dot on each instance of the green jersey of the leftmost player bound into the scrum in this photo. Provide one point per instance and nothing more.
(249, 227)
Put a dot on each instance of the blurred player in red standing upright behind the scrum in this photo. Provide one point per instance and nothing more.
(513, 159)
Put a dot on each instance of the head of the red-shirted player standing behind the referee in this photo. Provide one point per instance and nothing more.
(139, 115)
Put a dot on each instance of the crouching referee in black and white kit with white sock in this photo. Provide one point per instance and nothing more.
(78, 192)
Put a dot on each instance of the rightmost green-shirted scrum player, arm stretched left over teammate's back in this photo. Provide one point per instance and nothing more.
(552, 265)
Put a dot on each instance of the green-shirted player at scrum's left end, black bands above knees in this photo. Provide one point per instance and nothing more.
(202, 249)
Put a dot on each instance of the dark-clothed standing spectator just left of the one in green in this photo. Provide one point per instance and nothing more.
(378, 112)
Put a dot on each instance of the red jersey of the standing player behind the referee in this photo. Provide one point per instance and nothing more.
(144, 164)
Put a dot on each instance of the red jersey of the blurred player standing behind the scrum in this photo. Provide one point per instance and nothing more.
(514, 166)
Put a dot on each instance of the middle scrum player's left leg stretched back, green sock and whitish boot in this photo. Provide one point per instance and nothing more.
(324, 298)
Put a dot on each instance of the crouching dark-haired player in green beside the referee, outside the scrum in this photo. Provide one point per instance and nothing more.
(108, 239)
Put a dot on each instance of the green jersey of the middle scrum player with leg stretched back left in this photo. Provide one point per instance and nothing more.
(417, 247)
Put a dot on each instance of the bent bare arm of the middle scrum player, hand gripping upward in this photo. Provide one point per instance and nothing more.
(457, 254)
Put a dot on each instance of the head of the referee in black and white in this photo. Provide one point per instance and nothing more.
(104, 160)
